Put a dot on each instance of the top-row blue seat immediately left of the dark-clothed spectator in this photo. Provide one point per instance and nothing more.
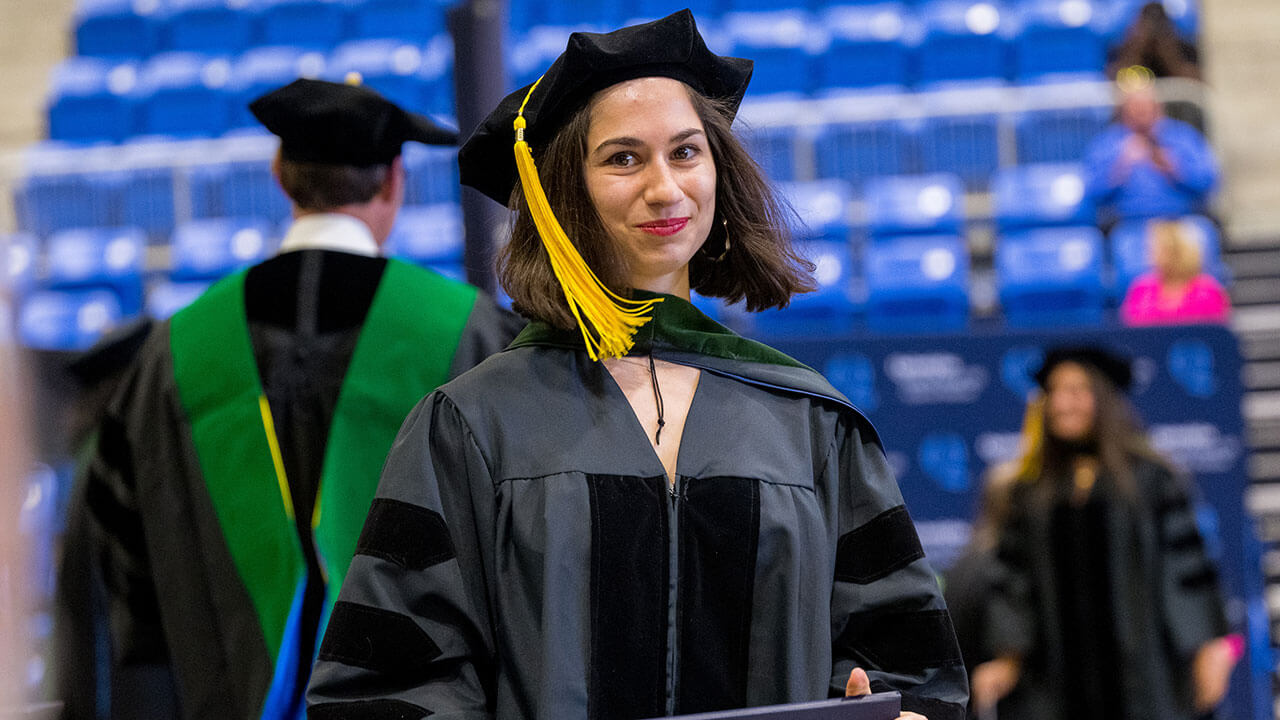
(1059, 37)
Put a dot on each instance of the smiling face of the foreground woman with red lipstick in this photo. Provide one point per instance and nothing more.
(652, 179)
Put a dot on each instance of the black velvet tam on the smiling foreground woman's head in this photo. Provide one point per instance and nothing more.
(592, 62)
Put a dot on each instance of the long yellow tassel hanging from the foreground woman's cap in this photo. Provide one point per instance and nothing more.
(607, 321)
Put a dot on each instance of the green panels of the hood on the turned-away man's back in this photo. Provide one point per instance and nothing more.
(405, 352)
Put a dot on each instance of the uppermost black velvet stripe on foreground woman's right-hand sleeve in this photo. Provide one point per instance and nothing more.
(884, 545)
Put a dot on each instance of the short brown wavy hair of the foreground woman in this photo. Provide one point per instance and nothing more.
(761, 267)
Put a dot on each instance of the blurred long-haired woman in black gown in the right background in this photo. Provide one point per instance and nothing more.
(1108, 605)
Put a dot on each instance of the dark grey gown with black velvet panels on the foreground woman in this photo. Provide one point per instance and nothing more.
(527, 558)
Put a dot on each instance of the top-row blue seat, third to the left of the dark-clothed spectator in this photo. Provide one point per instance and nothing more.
(868, 48)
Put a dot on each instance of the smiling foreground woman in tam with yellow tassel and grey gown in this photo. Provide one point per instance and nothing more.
(633, 512)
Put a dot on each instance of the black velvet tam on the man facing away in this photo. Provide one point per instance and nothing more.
(342, 125)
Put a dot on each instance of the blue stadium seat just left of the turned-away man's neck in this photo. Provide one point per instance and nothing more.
(209, 249)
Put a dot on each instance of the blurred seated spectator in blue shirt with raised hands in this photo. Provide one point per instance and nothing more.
(1148, 166)
